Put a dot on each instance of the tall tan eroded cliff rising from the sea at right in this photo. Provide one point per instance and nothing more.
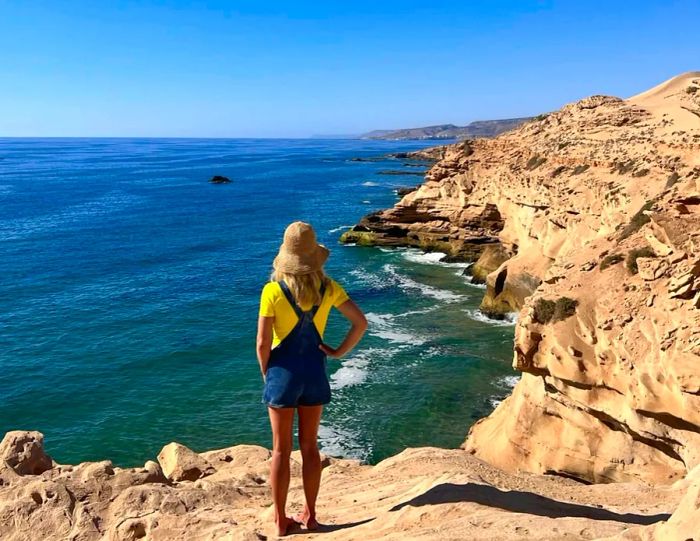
(588, 223)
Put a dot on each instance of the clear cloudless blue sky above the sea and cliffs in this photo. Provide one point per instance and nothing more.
(295, 68)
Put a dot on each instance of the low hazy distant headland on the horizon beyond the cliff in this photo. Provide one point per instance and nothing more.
(479, 128)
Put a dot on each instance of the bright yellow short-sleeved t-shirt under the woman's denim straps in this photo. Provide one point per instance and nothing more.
(273, 303)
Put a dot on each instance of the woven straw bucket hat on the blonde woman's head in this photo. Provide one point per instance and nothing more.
(300, 253)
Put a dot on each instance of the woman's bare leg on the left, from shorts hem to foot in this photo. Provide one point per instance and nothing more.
(281, 420)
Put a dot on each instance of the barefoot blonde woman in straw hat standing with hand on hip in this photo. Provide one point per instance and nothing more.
(294, 308)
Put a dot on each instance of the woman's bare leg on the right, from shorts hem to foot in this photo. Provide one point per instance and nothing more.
(309, 419)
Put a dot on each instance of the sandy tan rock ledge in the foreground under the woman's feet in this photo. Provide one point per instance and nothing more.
(422, 494)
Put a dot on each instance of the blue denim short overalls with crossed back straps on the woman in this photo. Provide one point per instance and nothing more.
(296, 371)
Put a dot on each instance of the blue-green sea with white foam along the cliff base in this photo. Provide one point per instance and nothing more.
(129, 289)
